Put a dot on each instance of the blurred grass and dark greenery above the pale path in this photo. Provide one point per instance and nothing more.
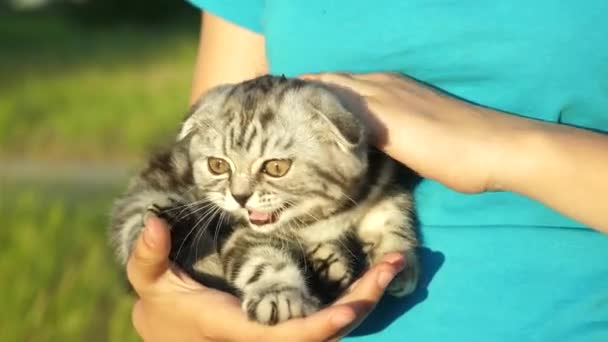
(91, 94)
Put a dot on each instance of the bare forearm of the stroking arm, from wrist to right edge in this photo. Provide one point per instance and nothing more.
(563, 167)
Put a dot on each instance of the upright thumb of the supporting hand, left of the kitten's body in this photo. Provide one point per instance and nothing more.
(149, 259)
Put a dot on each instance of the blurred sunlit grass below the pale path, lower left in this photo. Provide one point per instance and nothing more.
(63, 283)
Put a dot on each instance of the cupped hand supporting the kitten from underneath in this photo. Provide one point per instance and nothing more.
(173, 307)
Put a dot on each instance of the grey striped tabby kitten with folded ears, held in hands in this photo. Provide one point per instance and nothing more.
(273, 194)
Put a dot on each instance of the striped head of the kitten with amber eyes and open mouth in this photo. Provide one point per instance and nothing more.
(276, 152)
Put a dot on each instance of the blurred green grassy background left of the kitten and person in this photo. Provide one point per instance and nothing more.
(87, 87)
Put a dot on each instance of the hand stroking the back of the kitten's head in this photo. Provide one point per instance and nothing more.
(438, 136)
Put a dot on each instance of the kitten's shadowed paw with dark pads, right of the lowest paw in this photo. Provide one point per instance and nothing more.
(332, 266)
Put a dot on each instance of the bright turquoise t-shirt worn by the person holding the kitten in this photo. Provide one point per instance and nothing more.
(497, 266)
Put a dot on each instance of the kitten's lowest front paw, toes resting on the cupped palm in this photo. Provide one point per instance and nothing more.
(274, 306)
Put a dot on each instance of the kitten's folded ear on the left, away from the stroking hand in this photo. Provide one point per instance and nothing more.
(204, 109)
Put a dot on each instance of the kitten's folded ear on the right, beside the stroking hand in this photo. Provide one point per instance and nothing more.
(346, 128)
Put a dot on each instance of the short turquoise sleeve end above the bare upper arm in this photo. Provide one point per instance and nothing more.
(244, 13)
